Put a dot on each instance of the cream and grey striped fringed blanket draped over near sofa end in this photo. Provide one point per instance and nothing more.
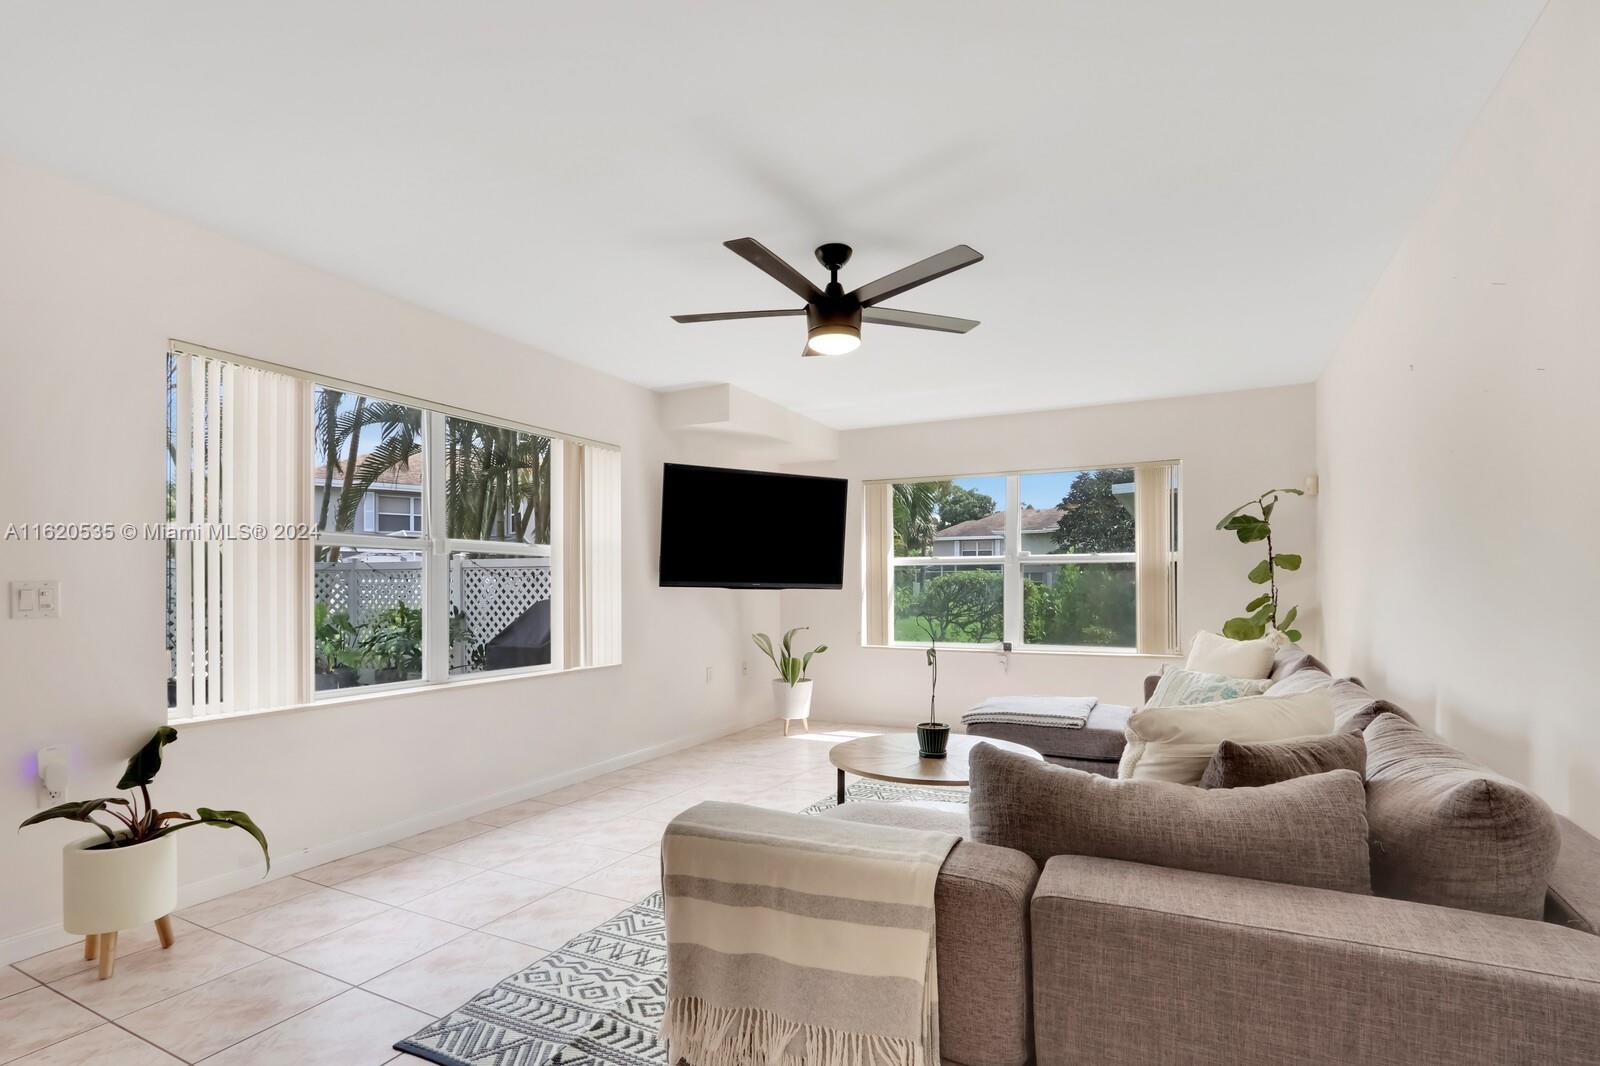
(796, 940)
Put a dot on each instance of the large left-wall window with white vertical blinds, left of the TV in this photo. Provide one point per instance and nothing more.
(327, 539)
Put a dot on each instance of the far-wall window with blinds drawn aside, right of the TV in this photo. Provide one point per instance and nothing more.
(1066, 559)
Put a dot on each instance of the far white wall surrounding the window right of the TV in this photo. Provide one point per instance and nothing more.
(1233, 447)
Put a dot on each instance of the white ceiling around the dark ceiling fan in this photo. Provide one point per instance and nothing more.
(1174, 198)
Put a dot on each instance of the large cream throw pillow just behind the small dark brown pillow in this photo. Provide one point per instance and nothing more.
(1177, 743)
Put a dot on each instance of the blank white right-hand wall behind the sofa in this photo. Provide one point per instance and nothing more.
(1460, 438)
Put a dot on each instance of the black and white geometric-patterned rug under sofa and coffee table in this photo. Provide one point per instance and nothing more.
(601, 998)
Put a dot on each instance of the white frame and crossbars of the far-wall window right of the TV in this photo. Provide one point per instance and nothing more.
(1012, 561)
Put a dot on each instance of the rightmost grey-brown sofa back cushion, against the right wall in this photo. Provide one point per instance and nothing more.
(1450, 833)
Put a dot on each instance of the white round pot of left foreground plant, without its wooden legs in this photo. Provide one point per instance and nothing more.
(116, 889)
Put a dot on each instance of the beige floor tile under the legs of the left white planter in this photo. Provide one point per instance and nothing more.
(150, 977)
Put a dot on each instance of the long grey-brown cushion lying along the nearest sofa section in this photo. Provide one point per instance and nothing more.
(1310, 832)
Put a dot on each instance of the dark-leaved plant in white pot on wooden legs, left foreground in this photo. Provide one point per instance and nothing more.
(127, 875)
